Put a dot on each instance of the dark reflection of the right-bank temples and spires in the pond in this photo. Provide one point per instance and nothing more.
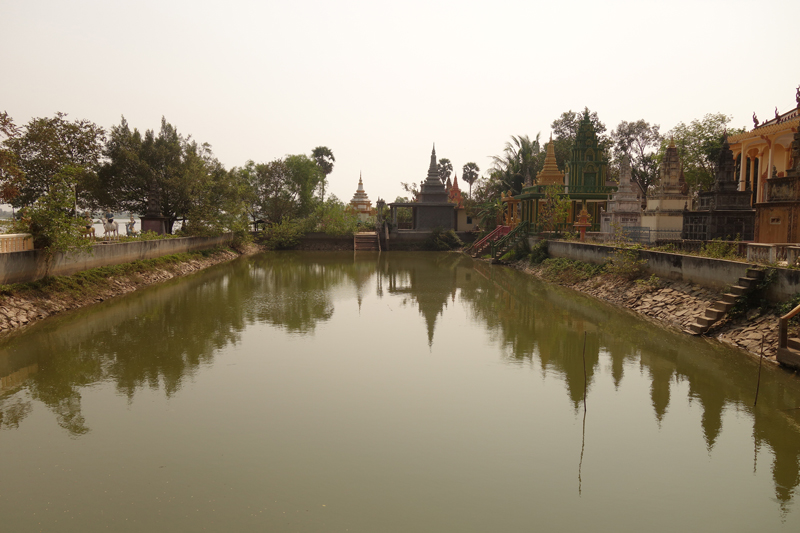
(535, 320)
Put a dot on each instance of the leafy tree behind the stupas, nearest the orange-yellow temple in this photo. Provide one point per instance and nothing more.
(699, 145)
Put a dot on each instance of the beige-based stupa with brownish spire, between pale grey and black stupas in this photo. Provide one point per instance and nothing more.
(664, 212)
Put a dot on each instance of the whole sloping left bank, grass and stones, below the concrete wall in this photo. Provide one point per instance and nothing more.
(29, 303)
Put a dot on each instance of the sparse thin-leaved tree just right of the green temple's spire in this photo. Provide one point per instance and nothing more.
(640, 141)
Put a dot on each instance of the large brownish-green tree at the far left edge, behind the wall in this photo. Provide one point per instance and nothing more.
(46, 146)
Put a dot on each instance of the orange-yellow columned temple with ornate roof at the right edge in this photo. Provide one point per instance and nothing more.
(773, 144)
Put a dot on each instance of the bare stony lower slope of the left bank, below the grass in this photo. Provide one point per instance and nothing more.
(26, 307)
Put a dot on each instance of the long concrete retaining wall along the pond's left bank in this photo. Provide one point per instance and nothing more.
(20, 267)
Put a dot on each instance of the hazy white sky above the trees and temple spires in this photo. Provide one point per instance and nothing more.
(380, 82)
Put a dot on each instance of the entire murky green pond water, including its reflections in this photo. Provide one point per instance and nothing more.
(395, 392)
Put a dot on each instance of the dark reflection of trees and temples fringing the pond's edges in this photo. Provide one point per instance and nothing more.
(160, 338)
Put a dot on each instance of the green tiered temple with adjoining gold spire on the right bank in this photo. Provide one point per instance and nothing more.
(584, 182)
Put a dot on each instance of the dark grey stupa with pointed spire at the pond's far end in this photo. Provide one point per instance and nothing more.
(432, 208)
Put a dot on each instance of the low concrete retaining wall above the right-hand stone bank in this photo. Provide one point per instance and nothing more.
(717, 274)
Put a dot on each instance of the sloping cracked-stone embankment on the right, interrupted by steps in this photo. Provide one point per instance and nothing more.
(677, 305)
